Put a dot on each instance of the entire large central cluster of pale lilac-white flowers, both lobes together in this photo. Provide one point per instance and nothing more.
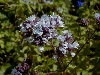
(40, 32)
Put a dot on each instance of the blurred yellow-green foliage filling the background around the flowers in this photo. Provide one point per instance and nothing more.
(13, 49)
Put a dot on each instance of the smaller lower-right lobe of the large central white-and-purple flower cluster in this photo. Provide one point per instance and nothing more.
(66, 42)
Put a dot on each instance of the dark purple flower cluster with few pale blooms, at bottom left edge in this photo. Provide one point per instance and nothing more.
(22, 68)
